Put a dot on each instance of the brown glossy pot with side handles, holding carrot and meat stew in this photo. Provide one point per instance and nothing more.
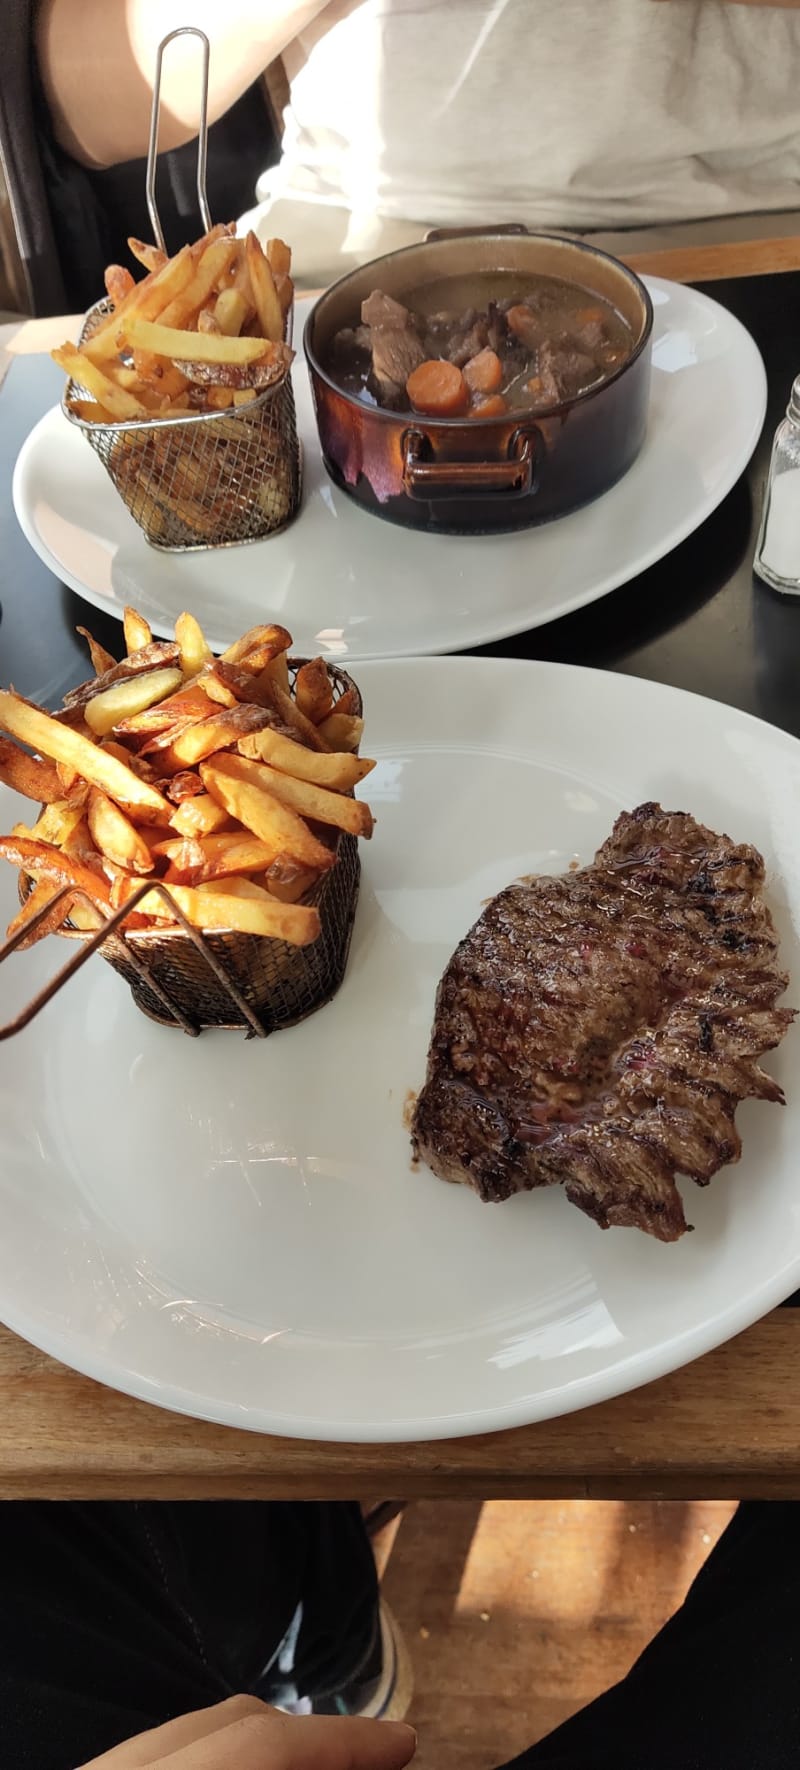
(466, 475)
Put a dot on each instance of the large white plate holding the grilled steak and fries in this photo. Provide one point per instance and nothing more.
(235, 1229)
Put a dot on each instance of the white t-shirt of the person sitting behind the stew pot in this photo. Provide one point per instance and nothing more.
(580, 114)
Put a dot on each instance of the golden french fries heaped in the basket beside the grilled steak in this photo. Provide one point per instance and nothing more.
(219, 778)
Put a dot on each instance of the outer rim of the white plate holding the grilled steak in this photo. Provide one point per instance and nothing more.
(631, 1373)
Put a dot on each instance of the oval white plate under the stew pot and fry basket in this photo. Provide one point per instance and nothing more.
(353, 587)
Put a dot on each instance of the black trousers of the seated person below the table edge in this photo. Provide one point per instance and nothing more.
(118, 1617)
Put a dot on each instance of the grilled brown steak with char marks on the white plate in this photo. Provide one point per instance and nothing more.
(599, 1029)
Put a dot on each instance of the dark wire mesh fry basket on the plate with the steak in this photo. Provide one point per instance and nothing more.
(227, 980)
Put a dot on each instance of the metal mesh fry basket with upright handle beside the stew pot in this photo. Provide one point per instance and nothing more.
(213, 479)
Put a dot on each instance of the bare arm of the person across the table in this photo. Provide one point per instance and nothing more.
(98, 59)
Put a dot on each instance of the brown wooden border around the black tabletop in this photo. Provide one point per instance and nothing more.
(727, 1426)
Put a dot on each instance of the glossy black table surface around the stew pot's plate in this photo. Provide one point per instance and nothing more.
(698, 620)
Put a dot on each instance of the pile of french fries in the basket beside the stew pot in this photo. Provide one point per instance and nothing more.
(199, 332)
